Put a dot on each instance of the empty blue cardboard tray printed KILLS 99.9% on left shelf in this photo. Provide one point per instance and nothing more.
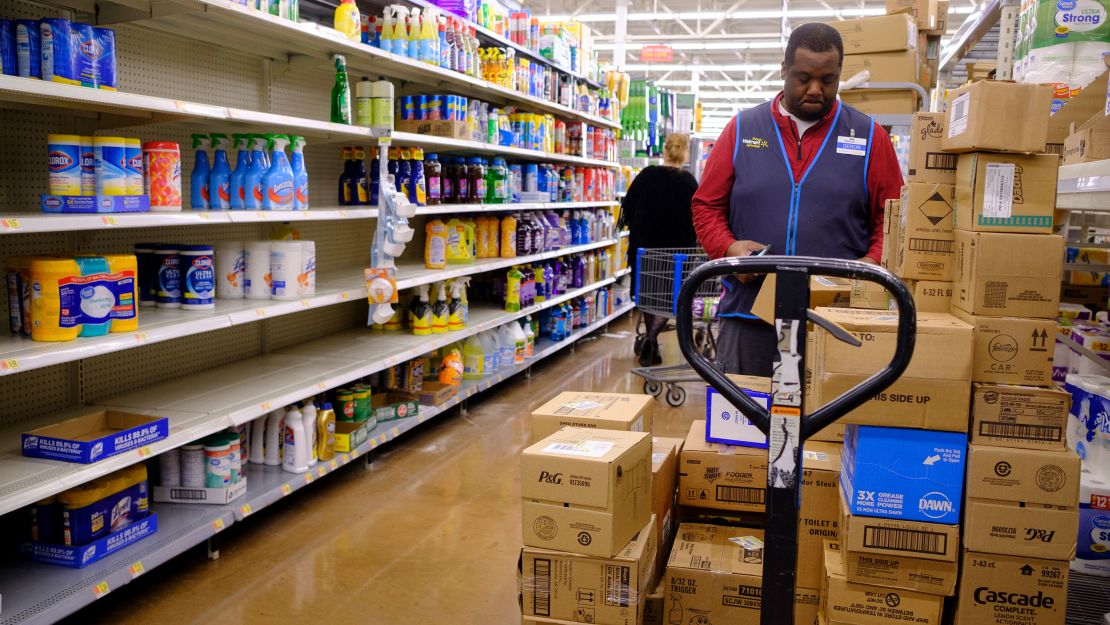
(95, 437)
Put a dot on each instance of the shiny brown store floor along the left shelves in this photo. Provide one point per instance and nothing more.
(429, 535)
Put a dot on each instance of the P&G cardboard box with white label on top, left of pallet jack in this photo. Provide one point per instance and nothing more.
(587, 491)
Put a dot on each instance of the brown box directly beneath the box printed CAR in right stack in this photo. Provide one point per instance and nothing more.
(1028, 418)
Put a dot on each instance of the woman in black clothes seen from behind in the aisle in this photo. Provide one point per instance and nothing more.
(658, 211)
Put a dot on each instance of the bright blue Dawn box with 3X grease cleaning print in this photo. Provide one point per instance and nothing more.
(910, 475)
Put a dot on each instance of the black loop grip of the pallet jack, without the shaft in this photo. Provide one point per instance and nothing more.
(851, 400)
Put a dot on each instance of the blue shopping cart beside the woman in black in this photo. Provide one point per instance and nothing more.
(660, 276)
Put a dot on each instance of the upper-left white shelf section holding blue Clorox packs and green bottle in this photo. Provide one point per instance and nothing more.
(133, 109)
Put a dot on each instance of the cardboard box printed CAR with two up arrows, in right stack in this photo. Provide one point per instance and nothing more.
(1011, 350)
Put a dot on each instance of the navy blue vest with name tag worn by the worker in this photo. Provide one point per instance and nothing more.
(828, 214)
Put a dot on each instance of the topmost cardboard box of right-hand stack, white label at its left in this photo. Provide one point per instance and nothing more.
(996, 116)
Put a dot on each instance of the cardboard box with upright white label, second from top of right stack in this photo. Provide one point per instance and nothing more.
(1006, 193)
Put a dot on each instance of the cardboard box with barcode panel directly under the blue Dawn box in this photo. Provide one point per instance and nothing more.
(895, 537)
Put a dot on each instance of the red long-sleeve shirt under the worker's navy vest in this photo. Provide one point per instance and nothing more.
(711, 203)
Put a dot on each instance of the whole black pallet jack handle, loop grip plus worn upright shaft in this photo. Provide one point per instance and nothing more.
(784, 425)
